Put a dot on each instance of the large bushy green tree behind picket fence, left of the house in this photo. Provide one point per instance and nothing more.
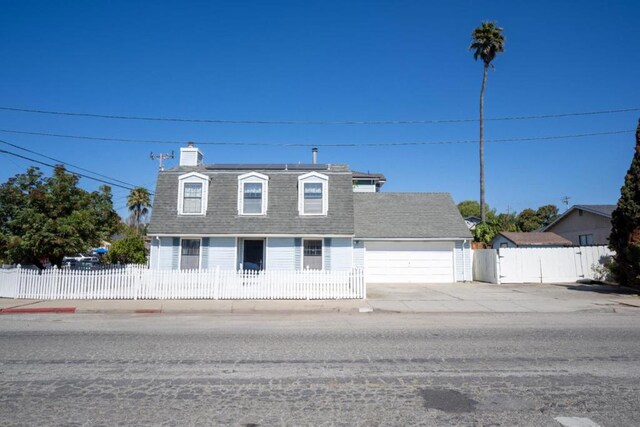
(48, 218)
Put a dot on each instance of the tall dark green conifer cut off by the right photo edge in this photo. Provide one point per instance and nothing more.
(625, 221)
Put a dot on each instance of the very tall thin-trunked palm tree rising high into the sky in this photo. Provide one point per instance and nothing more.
(488, 41)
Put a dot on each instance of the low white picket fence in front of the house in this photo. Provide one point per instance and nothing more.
(139, 282)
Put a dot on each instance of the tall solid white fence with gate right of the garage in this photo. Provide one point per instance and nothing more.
(538, 265)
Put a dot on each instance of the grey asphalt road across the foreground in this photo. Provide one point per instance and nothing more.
(320, 369)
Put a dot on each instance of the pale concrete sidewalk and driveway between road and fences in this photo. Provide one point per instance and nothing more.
(407, 298)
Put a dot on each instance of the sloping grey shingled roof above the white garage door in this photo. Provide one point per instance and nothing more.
(408, 215)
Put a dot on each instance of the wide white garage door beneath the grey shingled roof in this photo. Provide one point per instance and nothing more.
(409, 262)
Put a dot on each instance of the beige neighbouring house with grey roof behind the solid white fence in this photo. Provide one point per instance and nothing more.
(584, 225)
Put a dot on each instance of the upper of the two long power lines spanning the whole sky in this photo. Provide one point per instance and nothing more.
(311, 122)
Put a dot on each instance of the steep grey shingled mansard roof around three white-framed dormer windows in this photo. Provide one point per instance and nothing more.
(282, 211)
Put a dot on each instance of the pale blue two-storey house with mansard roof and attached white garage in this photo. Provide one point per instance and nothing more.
(303, 216)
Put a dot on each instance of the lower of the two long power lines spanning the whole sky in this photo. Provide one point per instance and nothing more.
(283, 144)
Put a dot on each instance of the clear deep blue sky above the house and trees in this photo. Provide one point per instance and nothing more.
(330, 61)
